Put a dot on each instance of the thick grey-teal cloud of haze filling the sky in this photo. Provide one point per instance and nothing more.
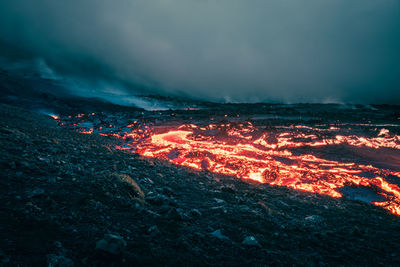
(259, 50)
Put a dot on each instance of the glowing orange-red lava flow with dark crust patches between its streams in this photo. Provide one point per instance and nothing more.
(283, 156)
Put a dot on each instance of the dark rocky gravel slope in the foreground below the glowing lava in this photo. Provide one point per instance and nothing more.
(63, 193)
